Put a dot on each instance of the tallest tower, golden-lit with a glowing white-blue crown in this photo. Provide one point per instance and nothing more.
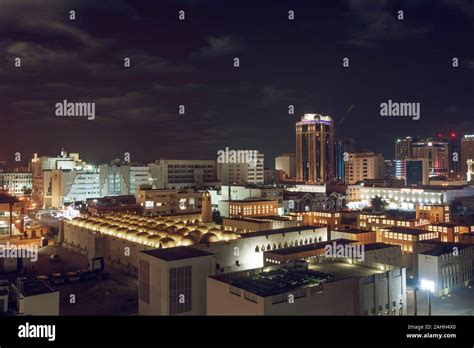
(315, 148)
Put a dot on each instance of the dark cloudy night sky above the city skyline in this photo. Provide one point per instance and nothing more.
(190, 62)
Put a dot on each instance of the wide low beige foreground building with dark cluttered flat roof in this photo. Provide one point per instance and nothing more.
(331, 288)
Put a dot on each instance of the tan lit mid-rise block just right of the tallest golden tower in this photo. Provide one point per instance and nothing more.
(364, 165)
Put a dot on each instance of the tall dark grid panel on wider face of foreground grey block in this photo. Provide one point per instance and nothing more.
(180, 279)
